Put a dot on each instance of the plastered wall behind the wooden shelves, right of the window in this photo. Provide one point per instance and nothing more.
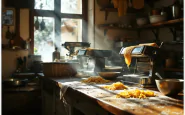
(104, 42)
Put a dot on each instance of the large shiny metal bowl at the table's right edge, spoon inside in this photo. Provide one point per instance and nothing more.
(169, 86)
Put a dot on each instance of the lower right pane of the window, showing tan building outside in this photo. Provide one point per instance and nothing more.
(71, 31)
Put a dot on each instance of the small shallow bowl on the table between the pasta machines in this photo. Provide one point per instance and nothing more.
(109, 75)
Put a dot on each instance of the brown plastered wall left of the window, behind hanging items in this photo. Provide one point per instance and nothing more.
(8, 56)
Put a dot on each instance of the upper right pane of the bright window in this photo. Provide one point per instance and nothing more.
(71, 6)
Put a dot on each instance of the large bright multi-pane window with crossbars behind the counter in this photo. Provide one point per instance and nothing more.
(56, 22)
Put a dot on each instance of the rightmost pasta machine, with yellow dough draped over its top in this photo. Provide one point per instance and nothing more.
(147, 62)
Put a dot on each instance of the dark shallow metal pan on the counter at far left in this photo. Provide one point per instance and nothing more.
(14, 82)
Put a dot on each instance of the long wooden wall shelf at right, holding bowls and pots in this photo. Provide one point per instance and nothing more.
(149, 26)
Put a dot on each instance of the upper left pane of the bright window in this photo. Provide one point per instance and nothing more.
(44, 4)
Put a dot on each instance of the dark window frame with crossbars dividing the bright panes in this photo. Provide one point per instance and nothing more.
(57, 15)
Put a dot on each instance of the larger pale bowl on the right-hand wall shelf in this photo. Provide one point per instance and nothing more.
(157, 18)
